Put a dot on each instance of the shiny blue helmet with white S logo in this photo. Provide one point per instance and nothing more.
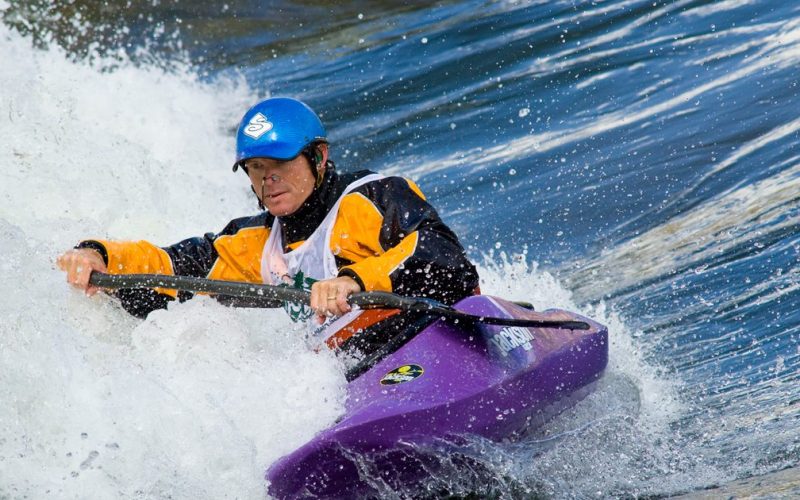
(279, 128)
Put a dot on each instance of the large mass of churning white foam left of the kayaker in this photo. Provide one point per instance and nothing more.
(195, 401)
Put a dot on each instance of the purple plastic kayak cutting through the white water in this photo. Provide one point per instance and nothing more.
(445, 382)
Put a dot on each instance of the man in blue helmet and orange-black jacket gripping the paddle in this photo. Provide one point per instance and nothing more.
(333, 233)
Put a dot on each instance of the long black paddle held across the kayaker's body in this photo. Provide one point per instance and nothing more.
(268, 295)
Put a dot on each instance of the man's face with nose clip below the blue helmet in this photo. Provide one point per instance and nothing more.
(282, 186)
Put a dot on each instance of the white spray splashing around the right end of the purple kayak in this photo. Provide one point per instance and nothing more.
(617, 441)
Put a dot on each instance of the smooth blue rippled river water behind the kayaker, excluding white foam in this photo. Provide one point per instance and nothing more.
(645, 153)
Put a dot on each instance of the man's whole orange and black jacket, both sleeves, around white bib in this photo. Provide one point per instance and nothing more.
(386, 237)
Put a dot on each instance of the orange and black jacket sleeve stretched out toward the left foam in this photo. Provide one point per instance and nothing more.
(233, 254)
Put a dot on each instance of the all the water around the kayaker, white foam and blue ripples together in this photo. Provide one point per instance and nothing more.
(636, 161)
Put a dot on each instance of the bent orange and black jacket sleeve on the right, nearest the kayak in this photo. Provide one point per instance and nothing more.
(395, 241)
